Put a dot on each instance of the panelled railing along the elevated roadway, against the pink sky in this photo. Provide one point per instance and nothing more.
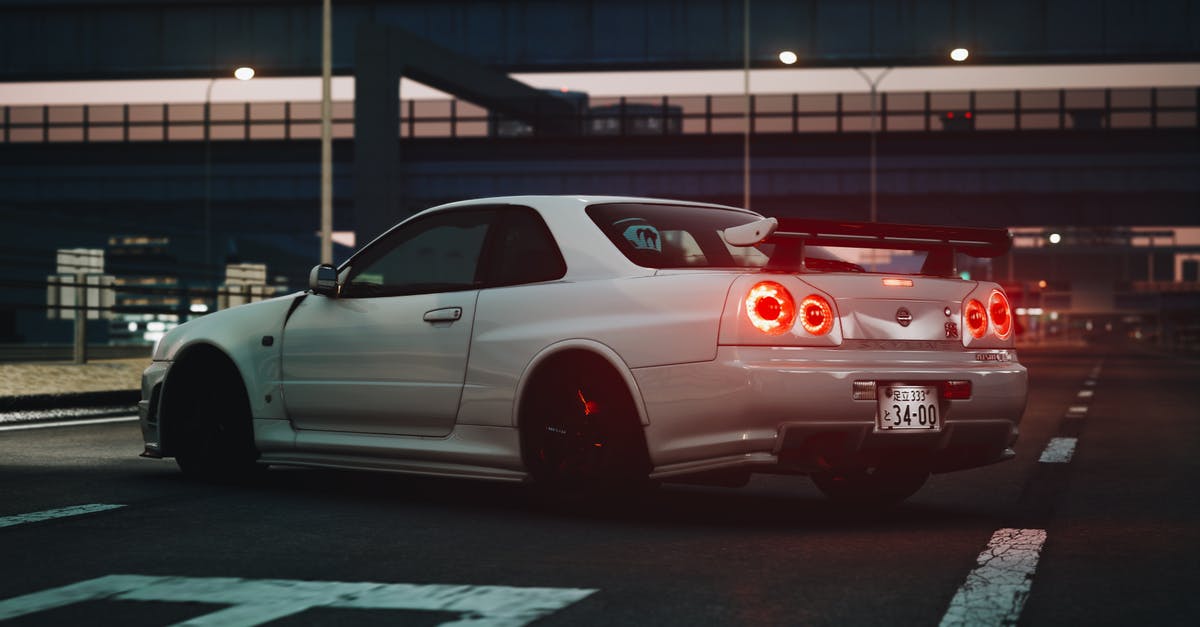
(1064, 110)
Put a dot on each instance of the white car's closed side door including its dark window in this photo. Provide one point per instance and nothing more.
(389, 355)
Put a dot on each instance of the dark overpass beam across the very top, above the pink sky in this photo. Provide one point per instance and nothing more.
(56, 40)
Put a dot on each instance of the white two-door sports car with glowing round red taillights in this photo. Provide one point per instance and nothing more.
(609, 341)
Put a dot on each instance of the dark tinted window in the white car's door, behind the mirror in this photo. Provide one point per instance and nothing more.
(437, 254)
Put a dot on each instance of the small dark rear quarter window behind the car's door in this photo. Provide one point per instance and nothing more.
(525, 252)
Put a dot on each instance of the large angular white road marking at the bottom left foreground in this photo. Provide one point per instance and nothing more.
(257, 601)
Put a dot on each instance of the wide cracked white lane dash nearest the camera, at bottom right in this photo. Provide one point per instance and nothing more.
(995, 592)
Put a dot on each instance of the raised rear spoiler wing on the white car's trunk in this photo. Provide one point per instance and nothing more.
(943, 243)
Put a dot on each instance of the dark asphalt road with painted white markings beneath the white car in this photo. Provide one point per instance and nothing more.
(1109, 538)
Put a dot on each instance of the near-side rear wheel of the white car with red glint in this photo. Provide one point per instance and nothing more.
(580, 429)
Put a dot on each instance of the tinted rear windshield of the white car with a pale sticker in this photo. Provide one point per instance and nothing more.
(665, 236)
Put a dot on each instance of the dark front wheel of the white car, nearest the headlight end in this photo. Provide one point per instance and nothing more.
(215, 432)
